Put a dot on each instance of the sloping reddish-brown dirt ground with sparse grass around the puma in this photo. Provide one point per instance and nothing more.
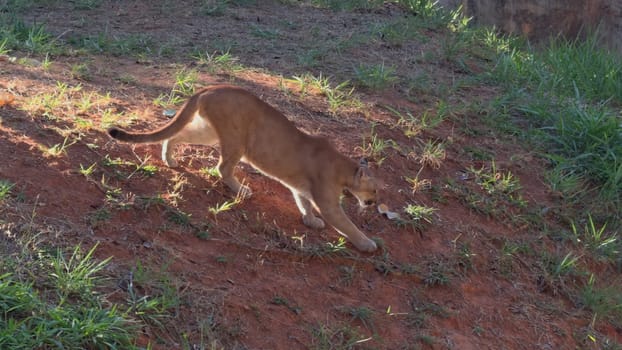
(254, 276)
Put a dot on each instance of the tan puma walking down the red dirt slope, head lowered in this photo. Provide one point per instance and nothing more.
(249, 129)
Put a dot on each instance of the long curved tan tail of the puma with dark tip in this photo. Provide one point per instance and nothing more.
(183, 117)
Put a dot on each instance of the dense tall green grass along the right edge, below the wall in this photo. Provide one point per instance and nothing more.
(570, 92)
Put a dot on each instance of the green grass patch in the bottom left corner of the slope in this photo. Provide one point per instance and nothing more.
(43, 313)
